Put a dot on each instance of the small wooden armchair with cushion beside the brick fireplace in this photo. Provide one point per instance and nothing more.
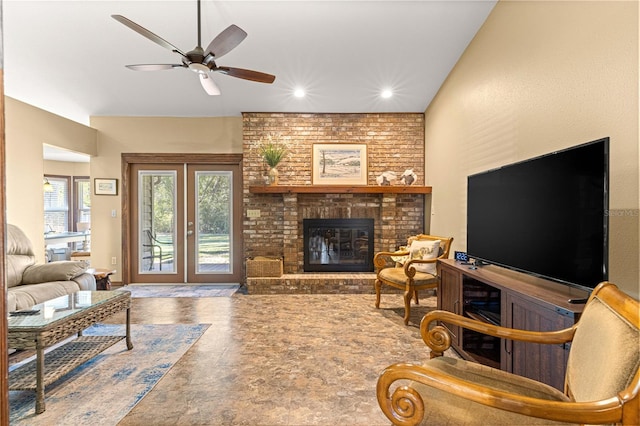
(411, 269)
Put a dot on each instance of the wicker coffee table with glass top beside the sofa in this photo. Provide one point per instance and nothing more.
(54, 321)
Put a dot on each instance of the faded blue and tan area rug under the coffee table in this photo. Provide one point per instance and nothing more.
(104, 389)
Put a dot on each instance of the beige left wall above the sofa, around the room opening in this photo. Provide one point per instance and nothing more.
(27, 128)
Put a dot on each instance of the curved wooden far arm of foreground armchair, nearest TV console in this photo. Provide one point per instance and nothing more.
(438, 339)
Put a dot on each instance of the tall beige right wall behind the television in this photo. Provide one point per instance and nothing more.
(541, 76)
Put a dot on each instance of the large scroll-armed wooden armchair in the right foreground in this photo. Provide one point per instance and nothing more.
(601, 384)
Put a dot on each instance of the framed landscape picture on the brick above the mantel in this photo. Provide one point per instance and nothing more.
(339, 164)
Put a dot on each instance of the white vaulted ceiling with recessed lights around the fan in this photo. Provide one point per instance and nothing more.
(68, 57)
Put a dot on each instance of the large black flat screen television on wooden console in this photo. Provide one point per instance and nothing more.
(546, 216)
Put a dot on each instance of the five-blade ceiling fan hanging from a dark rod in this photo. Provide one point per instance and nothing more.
(199, 60)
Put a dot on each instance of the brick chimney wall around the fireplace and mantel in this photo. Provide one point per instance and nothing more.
(395, 142)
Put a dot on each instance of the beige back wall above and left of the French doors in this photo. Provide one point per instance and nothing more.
(117, 135)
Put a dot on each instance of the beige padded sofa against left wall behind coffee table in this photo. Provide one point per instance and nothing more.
(30, 283)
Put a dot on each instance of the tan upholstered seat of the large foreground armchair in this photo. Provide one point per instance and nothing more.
(445, 408)
